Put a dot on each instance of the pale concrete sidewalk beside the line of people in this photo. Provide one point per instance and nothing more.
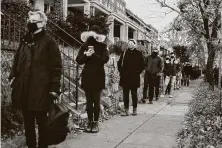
(155, 126)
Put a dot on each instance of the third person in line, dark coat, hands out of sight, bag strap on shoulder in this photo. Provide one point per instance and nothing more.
(130, 66)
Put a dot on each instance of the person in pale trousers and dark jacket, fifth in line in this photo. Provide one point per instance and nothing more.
(170, 72)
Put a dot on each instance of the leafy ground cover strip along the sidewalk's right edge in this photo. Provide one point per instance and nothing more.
(203, 123)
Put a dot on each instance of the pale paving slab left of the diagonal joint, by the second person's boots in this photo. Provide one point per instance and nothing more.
(111, 132)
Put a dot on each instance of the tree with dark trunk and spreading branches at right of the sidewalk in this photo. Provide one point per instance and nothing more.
(202, 20)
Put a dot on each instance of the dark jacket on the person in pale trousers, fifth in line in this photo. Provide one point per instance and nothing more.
(171, 67)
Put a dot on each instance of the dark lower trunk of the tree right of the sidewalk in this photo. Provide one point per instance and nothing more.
(210, 63)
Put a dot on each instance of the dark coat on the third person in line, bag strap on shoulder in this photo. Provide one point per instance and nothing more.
(130, 66)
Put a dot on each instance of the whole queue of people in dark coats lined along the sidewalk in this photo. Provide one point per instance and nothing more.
(37, 70)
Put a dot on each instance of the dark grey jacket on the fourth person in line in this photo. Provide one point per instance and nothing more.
(154, 65)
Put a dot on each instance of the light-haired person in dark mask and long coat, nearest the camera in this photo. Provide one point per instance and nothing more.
(35, 75)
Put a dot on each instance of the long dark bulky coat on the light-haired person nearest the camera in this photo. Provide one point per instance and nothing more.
(37, 70)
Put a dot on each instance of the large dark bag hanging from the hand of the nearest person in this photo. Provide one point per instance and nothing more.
(57, 128)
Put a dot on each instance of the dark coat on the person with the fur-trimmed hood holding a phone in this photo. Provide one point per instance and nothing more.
(93, 74)
